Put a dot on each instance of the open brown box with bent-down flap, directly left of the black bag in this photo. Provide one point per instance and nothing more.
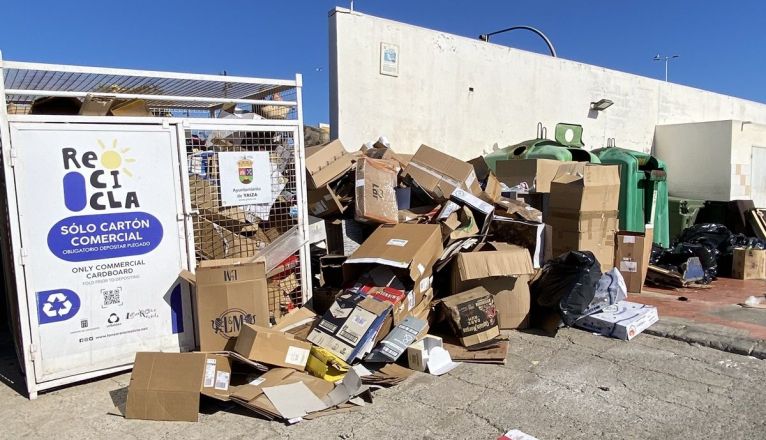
(504, 270)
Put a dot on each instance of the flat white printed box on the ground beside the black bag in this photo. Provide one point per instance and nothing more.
(623, 320)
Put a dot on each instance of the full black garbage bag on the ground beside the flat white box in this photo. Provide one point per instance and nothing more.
(567, 284)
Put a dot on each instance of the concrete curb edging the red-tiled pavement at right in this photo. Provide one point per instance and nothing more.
(709, 335)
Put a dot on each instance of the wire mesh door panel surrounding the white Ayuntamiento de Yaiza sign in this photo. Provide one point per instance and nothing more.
(242, 231)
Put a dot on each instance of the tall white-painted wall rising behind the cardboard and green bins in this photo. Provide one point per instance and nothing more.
(430, 101)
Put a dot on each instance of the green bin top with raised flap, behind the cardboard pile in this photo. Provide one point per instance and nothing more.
(567, 146)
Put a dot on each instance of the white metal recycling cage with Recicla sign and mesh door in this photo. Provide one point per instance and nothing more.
(104, 211)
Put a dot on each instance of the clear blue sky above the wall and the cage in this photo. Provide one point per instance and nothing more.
(722, 45)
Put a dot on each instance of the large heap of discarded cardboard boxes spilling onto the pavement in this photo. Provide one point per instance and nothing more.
(423, 260)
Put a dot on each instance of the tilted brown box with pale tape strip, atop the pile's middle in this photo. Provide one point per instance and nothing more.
(439, 174)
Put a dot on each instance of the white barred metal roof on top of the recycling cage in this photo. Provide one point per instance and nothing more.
(26, 81)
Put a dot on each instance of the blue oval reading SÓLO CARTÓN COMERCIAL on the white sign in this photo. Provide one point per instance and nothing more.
(102, 236)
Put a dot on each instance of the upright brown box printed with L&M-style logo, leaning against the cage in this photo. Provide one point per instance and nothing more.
(229, 294)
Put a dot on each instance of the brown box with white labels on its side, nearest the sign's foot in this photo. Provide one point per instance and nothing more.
(167, 386)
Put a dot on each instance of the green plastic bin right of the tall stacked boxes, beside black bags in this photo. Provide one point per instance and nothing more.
(643, 191)
